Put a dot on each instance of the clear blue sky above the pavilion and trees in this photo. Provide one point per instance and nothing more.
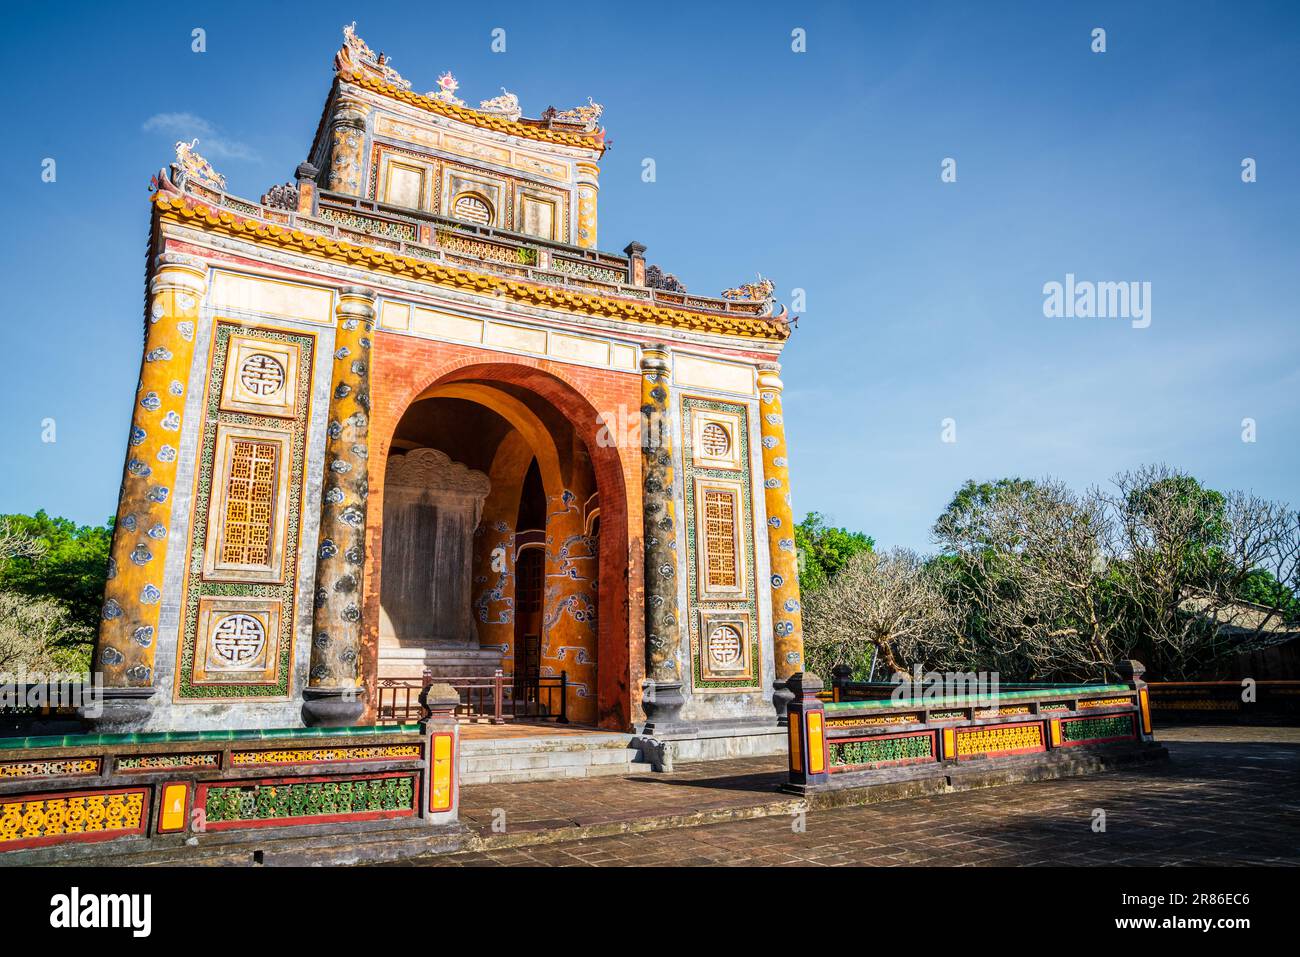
(821, 170)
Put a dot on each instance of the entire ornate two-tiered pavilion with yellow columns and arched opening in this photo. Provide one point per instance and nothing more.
(404, 414)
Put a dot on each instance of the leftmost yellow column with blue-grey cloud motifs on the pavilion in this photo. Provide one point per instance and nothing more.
(128, 634)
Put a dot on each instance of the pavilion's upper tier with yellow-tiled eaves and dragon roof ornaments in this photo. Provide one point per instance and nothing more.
(424, 180)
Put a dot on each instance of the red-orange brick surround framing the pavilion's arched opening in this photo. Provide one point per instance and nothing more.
(408, 369)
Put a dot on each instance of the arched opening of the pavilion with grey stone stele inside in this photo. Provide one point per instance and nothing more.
(504, 526)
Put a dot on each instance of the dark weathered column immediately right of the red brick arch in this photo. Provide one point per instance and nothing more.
(662, 699)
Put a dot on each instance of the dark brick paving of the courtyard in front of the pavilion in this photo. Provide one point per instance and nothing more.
(1229, 796)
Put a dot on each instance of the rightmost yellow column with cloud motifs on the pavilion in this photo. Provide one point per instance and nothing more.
(787, 618)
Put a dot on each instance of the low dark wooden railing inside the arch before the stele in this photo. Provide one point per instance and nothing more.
(496, 699)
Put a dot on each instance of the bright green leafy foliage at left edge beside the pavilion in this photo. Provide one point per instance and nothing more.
(72, 569)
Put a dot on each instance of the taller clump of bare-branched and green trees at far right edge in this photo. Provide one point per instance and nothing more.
(1052, 584)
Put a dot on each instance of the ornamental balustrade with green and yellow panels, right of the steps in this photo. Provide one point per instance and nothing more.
(865, 734)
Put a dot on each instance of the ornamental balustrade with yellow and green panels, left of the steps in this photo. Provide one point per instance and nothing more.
(176, 790)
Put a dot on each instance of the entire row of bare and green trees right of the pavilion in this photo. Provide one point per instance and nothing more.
(1037, 582)
